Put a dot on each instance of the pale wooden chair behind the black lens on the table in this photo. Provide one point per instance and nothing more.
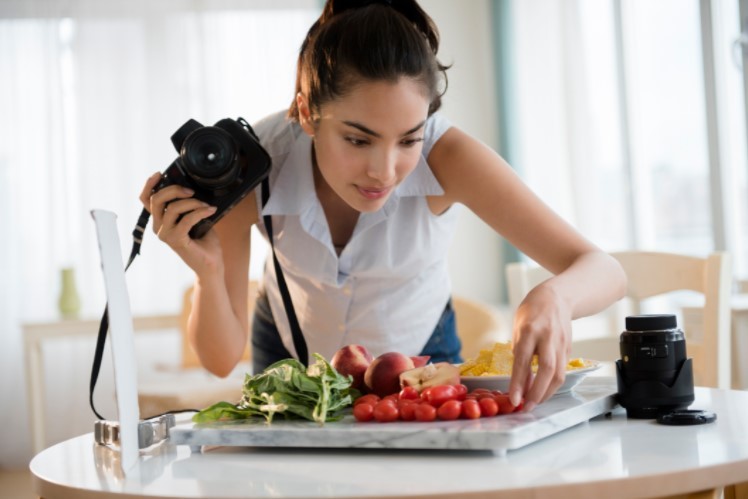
(650, 275)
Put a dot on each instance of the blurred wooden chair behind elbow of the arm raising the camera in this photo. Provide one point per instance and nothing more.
(189, 385)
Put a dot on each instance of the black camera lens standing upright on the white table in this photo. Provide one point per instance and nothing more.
(655, 375)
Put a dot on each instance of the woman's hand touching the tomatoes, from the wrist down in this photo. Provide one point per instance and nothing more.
(542, 327)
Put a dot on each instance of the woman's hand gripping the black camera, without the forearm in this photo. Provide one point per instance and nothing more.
(201, 255)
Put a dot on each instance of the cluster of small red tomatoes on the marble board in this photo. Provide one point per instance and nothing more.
(445, 402)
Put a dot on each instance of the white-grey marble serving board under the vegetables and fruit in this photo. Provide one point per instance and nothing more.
(592, 397)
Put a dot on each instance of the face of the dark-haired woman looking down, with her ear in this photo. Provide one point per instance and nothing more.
(368, 141)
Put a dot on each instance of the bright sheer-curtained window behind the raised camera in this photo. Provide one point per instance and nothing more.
(93, 92)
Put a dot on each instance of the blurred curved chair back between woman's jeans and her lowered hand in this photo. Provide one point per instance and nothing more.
(478, 325)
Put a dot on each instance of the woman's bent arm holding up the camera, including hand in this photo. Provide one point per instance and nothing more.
(218, 324)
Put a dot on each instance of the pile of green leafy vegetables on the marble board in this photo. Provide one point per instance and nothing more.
(289, 390)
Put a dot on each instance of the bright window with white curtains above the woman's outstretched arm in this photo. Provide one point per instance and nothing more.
(632, 125)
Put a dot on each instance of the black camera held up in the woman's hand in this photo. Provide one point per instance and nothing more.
(221, 163)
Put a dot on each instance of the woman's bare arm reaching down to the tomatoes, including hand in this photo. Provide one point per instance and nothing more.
(586, 279)
